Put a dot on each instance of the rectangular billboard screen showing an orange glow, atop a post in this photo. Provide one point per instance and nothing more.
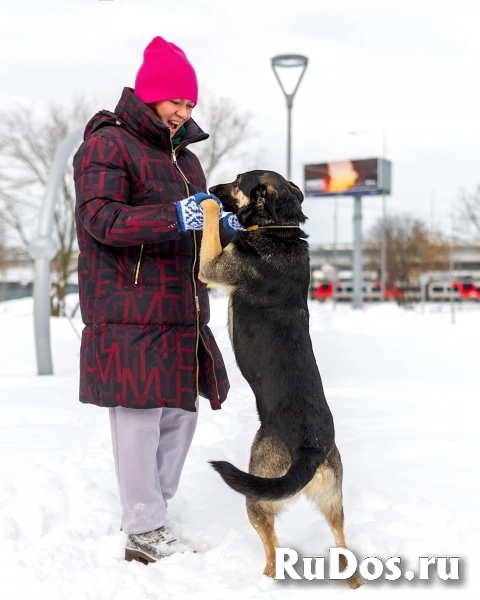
(368, 176)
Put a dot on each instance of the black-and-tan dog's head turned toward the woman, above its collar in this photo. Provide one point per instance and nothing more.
(262, 198)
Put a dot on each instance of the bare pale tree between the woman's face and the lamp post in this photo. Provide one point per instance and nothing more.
(230, 131)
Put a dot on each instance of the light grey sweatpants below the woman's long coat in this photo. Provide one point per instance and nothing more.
(149, 447)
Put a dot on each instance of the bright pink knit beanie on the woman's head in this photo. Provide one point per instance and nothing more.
(165, 74)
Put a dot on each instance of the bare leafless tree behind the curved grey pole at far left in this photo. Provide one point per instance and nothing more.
(28, 143)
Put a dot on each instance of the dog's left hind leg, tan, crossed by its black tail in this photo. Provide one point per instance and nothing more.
(268, 459)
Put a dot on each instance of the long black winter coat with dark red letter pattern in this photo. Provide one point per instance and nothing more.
(146, 342)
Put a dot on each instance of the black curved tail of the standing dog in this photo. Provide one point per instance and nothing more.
(305, 462)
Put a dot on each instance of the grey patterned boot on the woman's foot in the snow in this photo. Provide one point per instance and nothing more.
(153, 545)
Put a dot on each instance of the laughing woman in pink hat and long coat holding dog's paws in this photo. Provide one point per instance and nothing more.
(147, 352)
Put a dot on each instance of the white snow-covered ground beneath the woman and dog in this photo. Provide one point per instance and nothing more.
(404, 391)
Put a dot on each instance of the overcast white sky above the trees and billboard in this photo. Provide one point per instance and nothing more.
(409, 67)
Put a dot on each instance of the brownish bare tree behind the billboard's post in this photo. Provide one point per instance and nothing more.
(412, 249)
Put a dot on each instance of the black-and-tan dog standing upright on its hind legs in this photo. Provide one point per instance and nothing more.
(266, 270)
